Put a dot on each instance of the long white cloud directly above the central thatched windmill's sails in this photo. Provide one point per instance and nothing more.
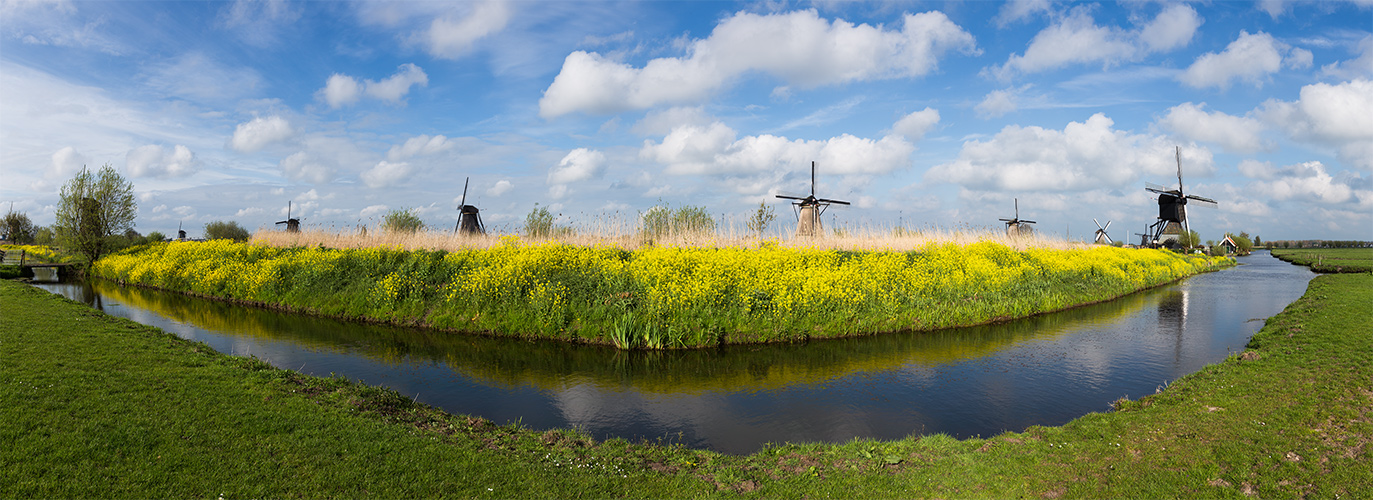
(715, 150)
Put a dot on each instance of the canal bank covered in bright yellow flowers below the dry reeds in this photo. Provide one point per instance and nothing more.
(657, 297)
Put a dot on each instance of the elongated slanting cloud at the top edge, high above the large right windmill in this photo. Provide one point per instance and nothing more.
(1077, 39)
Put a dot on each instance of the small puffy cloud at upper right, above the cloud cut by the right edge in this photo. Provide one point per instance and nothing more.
(1250, 58)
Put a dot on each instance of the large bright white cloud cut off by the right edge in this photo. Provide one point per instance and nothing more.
(1339, 116)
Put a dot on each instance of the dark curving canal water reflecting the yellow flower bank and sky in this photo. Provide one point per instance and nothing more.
(963, 383)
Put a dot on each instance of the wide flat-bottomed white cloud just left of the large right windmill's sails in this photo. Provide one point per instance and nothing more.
(1084, 156)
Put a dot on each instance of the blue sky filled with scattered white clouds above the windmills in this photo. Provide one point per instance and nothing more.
(925, 115)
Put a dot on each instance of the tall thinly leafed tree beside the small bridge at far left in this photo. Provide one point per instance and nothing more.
(95, 207)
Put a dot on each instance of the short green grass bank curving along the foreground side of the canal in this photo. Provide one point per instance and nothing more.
(101, 407)
